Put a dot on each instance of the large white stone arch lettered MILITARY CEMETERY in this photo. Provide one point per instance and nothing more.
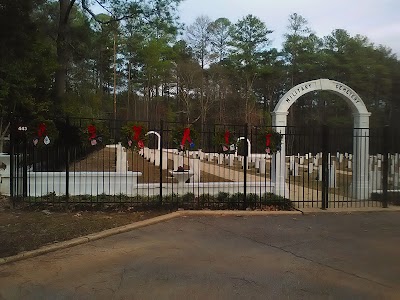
(360, 137)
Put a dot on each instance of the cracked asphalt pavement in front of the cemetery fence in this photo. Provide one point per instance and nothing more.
(323, 256)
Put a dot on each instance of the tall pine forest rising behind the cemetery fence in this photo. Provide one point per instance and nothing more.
(137, 61)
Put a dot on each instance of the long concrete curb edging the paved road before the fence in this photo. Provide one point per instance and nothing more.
(129, 227)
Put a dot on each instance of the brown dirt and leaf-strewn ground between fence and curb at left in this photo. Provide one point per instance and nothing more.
(24, 230)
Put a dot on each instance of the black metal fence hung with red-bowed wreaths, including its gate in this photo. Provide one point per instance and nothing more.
(190, 166)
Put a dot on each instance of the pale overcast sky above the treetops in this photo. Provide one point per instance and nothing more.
(378, 20)
